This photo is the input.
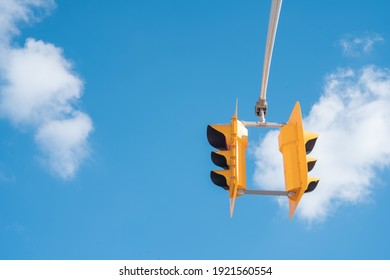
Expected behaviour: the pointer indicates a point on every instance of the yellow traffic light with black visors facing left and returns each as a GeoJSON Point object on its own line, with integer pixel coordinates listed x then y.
{"type": "Point", "coordinates": [231, 141]}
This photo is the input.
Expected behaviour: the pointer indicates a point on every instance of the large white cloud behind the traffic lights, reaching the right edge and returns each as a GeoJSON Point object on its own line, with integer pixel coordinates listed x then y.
{"type": "Point", "coordinates": [352, 118]}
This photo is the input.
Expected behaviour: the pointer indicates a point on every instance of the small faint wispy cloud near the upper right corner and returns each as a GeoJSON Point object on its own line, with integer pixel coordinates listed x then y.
{"type": "Point", "coordinates": [356, 46]}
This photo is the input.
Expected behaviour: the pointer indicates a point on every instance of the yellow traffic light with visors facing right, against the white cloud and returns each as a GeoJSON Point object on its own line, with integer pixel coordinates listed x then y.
{"type": "Point", "coordinates": [295, 144]}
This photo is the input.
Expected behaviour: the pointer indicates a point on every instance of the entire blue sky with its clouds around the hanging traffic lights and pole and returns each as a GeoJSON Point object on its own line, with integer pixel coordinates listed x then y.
{"type": "Point", "coordinates": [104, 107]}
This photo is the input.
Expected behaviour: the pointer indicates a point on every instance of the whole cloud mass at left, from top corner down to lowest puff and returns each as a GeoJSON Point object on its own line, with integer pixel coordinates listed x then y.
{"type": "Point", "coordinates": [40, 91]}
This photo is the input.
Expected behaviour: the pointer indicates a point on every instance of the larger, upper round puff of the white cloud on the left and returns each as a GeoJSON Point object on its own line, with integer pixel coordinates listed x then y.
{"type": "Point", "coordinates": [39, 83]}
